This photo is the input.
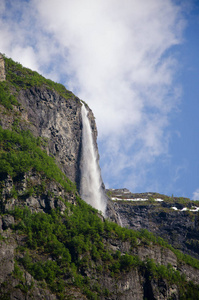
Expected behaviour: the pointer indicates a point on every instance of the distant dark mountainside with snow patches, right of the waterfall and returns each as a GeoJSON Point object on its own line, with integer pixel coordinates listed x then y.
{"type": "Point", "coordinates": [172, 218]}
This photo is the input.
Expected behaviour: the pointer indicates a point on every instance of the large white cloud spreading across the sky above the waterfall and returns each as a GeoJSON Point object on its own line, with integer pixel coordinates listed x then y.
{"type": "Point", "coordinates": [116, 57]}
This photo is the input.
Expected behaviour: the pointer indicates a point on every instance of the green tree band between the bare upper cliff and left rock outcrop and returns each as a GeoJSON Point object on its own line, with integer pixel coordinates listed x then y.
{"type": "Point", "coordinates": [20, 152]}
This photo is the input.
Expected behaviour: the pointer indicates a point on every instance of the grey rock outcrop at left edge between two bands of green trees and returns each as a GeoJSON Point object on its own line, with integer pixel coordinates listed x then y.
{"type": "Point", "coordinates": [47, 195]}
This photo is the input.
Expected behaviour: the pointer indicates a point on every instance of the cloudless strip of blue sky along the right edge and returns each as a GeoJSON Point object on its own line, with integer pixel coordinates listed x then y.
{"type": "Point", "coordinates": [185, 148]}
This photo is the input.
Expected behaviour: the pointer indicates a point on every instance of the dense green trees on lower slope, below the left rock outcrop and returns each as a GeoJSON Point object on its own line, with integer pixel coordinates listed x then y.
{"type": "Point", "coordinates": [64, 238]}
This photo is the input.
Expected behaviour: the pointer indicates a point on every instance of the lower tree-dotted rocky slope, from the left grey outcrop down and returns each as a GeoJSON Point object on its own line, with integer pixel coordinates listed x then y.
{"type": "Point", "coordinates": [116, 265]}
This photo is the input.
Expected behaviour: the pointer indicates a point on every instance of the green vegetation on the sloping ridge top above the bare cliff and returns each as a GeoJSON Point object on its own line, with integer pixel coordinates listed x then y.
{"type": "Point", "coordinates": [23, 78]}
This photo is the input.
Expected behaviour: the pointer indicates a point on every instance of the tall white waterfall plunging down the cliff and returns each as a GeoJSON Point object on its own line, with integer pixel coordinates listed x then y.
{"type": "Point", "coordinates": [91, 183]}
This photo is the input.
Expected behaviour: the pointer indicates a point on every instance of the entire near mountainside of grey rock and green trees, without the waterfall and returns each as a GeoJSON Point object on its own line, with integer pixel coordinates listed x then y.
{"type": "Point", "coordinates": [52, 244]}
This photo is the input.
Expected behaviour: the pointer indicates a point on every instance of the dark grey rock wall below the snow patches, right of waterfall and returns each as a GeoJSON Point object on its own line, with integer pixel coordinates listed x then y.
{"type": "Point", "coordinates": [179, 228]}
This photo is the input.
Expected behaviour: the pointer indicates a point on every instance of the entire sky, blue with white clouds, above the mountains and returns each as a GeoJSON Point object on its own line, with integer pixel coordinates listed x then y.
{"type": "Point", "coordinates": [136, 64]}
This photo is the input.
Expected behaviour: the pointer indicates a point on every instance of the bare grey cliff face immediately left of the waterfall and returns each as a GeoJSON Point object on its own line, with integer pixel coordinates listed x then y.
{"type": "Point", "coordinates": [57, 120]}
